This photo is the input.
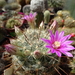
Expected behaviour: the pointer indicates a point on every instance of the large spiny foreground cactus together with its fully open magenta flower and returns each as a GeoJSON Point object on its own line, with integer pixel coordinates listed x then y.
{"type": "Point", "coordinates": [33, 57]}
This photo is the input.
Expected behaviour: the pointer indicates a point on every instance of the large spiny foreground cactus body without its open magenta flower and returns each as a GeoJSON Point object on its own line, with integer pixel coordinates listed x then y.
{"type": "Point", "coordinates": [34, 59]}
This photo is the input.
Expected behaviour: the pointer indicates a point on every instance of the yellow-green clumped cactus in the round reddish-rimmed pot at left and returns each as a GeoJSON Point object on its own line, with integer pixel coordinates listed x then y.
{"type": "Point", "coordinates": [12, 22]}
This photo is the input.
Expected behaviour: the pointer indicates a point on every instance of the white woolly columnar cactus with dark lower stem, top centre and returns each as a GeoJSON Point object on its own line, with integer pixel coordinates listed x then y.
{"type": "Point", "coordinates": [38, 6]}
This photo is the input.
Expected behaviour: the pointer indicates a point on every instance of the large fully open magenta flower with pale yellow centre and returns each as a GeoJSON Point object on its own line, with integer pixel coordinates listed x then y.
{"type": "Point", "coordinates": [59, 44]}
